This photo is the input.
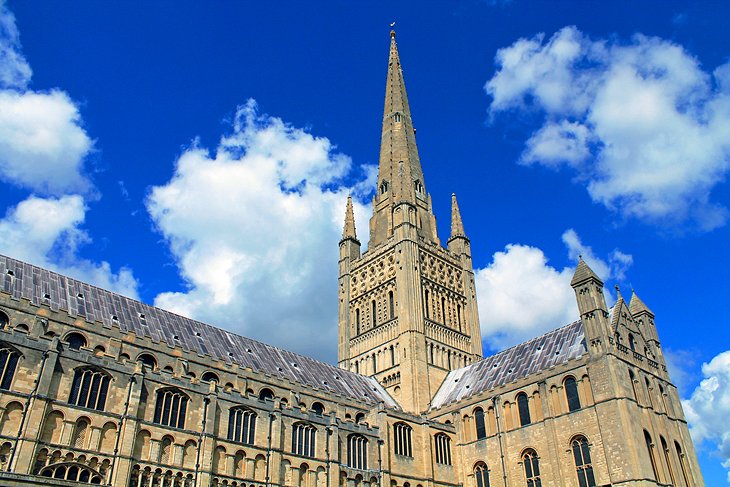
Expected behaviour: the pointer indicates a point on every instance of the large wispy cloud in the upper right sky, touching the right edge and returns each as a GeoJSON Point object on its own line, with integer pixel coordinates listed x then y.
{"type": "Point", "coordinates": [643, 126]}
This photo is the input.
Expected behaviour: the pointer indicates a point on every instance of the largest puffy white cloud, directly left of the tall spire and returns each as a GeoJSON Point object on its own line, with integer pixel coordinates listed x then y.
{"type": "Point", "coordinates": [253, 226]}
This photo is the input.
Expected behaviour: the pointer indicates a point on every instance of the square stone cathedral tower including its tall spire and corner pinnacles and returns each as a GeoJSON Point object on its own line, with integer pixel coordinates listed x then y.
{"type": "Point", "coordinates": [407, 306]}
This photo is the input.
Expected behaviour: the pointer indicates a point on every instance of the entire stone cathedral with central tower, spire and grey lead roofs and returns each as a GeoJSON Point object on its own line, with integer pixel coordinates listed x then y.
{"type": "Point", "coordinates": [97, 388]}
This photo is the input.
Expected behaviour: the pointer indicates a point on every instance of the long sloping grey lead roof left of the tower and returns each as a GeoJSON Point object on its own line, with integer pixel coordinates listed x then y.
{"type": "Point", "coordinates": [41, 286]}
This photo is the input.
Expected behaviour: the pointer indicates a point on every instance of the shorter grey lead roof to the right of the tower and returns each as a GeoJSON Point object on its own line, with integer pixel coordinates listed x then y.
{"type": "Point", "coordinates": [553, 348]}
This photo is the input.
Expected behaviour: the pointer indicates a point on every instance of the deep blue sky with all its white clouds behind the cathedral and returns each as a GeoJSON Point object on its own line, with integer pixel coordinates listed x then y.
{"type": "Point", "coordinates": [197, 156]}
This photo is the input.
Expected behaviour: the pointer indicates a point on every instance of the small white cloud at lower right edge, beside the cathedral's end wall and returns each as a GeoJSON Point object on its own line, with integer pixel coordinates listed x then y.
{"type": "Point", "coordinates": [708, 408]}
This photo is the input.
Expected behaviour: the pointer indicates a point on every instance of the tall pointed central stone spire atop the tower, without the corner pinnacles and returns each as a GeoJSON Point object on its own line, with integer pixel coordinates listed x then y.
{"type": "Point", "coordinates": [400, 166]}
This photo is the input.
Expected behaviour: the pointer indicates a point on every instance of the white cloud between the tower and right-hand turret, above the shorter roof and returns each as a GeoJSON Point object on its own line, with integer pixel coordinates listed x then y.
{"type": "Point", "coordinates": [520, 295]}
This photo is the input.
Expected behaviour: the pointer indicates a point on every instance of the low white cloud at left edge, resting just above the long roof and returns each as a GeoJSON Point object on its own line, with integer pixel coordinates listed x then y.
{"type": "Point", "coordinates": [46, 232]}
